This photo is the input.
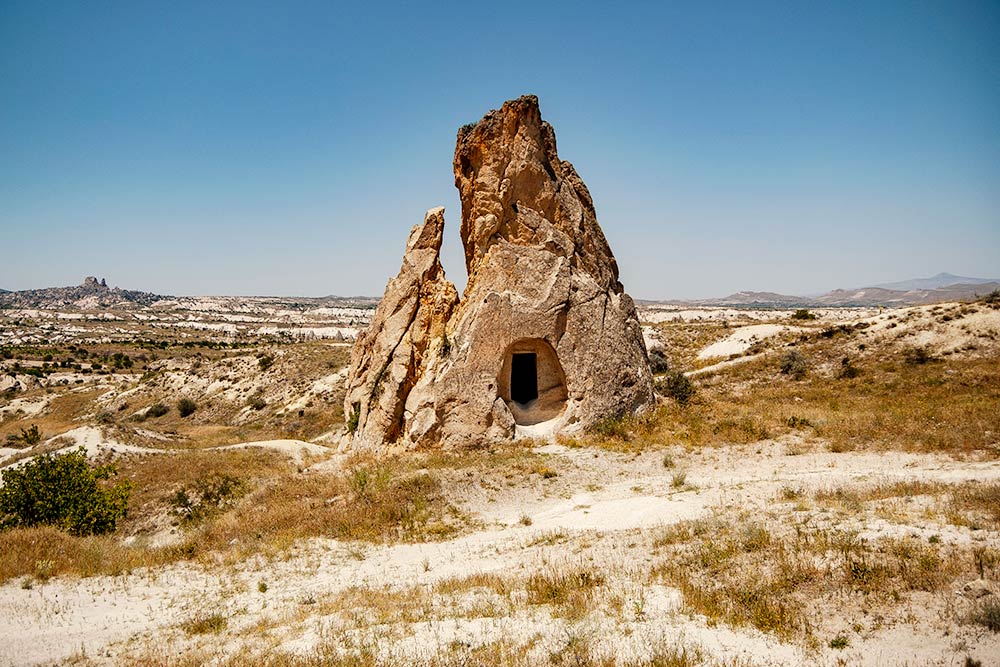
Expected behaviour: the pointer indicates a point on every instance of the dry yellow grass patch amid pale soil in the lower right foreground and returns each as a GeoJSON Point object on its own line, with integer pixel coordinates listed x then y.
{"type": "Point", "coordinates": [770, 577]}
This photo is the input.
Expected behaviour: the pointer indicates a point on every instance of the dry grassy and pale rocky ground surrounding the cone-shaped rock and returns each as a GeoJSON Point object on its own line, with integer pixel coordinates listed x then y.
{"type": "Point", "coordinates": [793, 509]}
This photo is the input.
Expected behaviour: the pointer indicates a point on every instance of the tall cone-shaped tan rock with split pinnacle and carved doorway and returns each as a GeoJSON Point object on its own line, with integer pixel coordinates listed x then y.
{"type": "Point", "coordinates": [544, 339]}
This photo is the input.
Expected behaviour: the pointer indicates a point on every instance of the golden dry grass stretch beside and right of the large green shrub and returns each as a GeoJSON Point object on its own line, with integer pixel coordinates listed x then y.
{"type": "Point", "coordinates": [395, 503]}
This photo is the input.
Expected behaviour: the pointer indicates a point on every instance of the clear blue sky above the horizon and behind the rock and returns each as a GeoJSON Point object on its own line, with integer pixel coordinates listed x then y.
{"type": "Point", "coordinates": [288, 147]}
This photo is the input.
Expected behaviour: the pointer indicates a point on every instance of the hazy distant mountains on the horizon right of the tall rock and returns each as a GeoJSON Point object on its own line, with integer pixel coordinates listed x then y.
{"type": "Point", "coordinates": [918, 291]}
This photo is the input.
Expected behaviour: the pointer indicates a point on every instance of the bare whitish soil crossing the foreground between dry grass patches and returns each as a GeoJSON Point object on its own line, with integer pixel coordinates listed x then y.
{"type": "Point", "coordinates": [601, 509]}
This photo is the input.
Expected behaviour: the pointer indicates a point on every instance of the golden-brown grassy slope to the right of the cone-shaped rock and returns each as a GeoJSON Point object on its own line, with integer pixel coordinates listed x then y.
{"type": "Point", "coordinates": [951, 407]}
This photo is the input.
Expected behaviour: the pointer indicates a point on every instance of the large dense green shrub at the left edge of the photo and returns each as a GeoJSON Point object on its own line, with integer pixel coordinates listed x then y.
{"type": "Point", "coordinates": [63, 490]}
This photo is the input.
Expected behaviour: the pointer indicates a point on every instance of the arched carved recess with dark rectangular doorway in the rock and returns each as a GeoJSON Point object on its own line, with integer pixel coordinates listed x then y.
{"type": "Point", "coordinates": [531, 381]}
